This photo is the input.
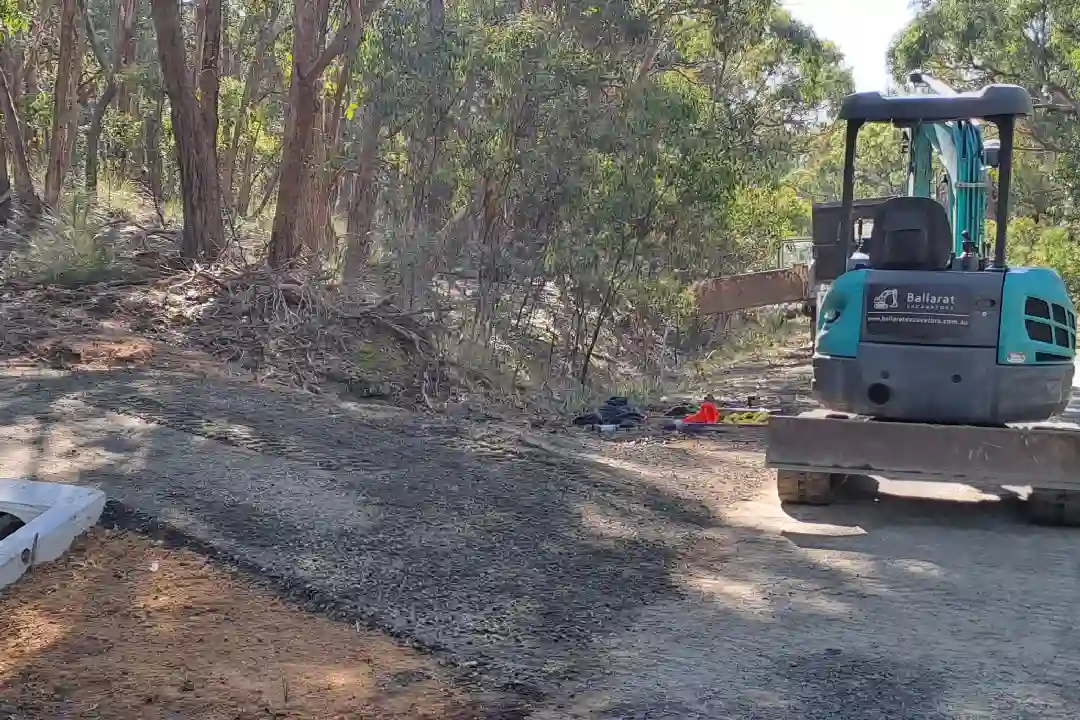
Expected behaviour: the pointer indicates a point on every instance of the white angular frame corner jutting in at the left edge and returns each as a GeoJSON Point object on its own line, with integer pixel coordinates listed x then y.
{"type": "Point", "coordinates": [52, 514]}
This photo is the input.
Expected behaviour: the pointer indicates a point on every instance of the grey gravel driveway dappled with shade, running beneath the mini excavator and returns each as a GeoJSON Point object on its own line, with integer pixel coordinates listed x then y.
{"type": "Point", "coordinates": [582, 578]}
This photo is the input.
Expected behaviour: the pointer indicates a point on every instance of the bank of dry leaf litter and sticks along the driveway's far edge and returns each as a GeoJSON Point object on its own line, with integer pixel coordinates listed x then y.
{"type": "Point", "coordinates": [300, 331]}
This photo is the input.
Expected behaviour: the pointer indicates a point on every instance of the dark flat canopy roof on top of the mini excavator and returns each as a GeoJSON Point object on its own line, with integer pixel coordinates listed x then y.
{"type": "Point", "coordinates": [992, 101]}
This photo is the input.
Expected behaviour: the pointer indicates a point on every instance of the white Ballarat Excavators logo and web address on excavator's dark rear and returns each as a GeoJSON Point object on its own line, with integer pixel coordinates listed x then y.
{"type": "Point", "coordinates": [916, 311]}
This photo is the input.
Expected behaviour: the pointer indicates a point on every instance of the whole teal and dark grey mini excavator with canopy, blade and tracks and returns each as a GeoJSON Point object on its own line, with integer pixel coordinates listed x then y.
{"type": "Point", "coordinates": [929, 348]}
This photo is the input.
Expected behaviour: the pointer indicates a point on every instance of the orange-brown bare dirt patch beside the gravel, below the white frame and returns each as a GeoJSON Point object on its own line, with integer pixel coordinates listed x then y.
{"type": "Point", "coordinates": [123, 628]}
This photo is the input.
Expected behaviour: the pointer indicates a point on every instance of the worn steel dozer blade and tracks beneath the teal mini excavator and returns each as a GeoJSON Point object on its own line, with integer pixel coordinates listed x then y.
{"type": "Point", "coordinates": [816, 454]}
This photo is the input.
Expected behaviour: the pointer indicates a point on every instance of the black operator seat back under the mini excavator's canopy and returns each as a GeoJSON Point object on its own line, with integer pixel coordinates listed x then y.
{"type": "Point", "coordinates": [911, 234]}
